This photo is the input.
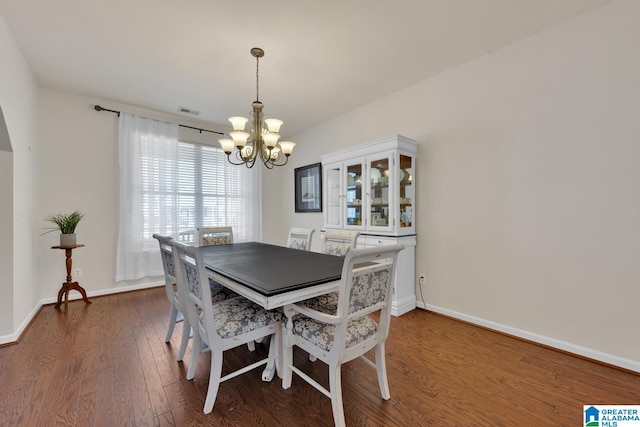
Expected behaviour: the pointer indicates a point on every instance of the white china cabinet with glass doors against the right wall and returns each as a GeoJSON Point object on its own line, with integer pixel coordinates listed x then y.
{"type": "Point", "coordinates": [370, 188]}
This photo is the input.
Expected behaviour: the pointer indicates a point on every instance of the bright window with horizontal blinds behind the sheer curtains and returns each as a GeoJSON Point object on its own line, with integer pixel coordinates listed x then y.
{"type": "Point", "coordinates": [206, 191]}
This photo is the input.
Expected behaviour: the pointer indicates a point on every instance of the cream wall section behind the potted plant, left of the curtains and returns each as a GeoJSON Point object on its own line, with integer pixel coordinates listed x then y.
{"type": "Point", "coordinates": [78, 171]}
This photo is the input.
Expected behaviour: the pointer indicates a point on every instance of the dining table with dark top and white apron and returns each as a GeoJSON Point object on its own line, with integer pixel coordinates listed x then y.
{"type": "Point", "coordinates": [272, 276]}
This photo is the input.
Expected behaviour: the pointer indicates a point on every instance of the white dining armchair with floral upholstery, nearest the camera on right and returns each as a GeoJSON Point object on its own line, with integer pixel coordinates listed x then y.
{"type": "Point", "coordinates": [366, 286]}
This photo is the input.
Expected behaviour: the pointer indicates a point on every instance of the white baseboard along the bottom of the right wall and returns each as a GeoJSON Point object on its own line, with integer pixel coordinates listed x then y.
{"type": "Point", "coordinates": [631, 365]}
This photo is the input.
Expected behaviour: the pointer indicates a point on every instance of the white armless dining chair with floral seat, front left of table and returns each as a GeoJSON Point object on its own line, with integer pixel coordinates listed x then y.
{"type": "Point", "coordinates": [224, 325]}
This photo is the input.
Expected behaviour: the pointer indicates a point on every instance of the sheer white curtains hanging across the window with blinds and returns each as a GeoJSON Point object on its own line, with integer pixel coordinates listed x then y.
{"type": "Point", "coordinates": [171, 187]}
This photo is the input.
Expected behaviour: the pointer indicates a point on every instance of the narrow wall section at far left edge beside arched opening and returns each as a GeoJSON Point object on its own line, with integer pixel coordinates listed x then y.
{"type": "Point", "coordinates": [18, 96]}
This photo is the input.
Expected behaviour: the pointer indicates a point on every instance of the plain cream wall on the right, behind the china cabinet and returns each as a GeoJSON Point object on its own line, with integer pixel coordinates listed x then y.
{"type": "Point", "coordinates": [528, 206]}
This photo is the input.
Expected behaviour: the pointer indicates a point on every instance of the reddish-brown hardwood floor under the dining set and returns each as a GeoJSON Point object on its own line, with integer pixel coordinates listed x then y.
{"type": "Point", "coordinates": [106, 364]}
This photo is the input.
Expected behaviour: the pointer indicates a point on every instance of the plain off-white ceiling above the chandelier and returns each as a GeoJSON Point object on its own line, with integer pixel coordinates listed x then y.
{"type": "Point", "coordinates": [322, 58]}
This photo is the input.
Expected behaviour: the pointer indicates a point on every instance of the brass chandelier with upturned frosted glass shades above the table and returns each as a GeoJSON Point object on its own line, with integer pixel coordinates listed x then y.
{"type": "Point", "coordinates": [262, 143]}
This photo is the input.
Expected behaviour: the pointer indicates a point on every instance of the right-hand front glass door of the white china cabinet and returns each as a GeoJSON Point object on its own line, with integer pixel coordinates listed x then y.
{"type": "Point", "coordinates": [380, 216]}
